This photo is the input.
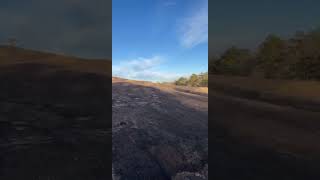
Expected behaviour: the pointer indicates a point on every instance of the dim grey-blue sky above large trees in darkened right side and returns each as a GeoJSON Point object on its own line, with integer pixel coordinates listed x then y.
{"type": "Point", "coordinates": [246, 23]}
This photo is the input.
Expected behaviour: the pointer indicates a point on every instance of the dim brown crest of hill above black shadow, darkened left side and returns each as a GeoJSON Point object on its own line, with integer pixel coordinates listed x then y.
{"type": "Point", "coordinates": [13, 55]}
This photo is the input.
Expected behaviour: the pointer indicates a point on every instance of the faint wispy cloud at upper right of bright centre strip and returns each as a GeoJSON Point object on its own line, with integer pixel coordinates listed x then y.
{"type": "Point", "coordinates": [194, 29]}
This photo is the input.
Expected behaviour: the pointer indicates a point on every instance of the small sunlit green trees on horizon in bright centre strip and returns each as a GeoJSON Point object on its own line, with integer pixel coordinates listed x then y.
{"type": "Point", "coordinates": [195, 80]}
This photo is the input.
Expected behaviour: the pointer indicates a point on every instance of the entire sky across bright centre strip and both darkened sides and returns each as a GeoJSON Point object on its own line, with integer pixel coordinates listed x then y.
{"type": "Point", "coordinates": [152, 39]}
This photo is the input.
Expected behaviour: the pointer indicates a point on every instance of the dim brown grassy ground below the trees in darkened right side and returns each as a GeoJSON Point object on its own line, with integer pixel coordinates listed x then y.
{"type": "Point", "coordinates": [283, 115]}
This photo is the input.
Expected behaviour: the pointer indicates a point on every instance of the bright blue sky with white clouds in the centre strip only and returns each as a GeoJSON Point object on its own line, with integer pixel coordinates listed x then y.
{"type": "Point", "coordinates": [159, 40]}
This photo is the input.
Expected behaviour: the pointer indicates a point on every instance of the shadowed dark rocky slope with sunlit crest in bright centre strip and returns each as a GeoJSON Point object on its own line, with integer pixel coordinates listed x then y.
{"type": "Point", "coordinates": [158, 131]}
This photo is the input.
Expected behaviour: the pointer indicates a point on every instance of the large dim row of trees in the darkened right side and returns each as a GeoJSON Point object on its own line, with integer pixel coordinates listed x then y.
{"type": "Point", "coordinates": [294, 58]}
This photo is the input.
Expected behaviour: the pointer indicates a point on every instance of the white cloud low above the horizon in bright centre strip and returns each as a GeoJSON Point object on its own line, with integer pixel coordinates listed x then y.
{"type": "Point", "coordinates": [143, 69]}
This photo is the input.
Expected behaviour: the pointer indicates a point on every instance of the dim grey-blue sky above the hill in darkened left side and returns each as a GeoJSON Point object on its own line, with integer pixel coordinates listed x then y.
{"type": "Point", "coordinates": [74, 27]}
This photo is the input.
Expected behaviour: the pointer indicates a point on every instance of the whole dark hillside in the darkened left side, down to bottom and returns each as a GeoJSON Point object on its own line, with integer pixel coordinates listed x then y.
{"type": "Point", "coordinates": [55, 116]}
